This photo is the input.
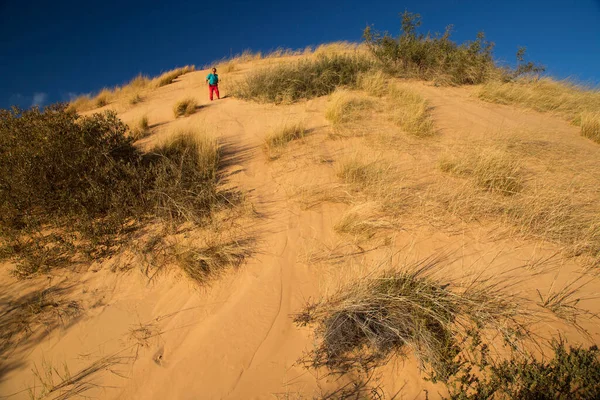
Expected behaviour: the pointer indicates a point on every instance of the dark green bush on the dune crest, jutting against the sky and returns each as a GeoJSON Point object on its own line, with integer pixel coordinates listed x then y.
{"type": "Point", "coordinates": [415, 55]}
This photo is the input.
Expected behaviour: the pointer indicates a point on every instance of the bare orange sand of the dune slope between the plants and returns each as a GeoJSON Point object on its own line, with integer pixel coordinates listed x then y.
{"type": "Point", "coordinates": [235, 339]}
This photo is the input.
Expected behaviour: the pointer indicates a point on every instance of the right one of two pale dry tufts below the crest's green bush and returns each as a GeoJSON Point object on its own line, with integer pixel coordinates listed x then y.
{"type": "Point", "coordinates": [410, 111]}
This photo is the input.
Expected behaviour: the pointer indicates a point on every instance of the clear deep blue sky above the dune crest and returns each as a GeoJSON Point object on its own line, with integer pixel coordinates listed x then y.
{"type": "Point", "coordinates": [51, 50]}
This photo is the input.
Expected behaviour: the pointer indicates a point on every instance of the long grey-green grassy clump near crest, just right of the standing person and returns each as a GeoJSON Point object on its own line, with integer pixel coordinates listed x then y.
{"type": "Point", "coordinates": [304, 79]}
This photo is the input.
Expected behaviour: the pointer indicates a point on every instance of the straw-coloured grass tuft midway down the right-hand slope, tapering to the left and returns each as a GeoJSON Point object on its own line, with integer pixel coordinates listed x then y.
{"type": "Point", "coordinates": [492, 169]}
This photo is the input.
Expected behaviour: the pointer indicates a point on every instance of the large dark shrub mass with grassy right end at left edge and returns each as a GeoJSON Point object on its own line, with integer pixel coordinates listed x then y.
{"type": "Point", "coordinates": [72, 185]}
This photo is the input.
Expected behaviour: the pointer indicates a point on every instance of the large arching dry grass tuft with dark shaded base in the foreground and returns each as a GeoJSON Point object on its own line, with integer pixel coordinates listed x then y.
{"type": "Point", "coordinates": [417, 308]}
